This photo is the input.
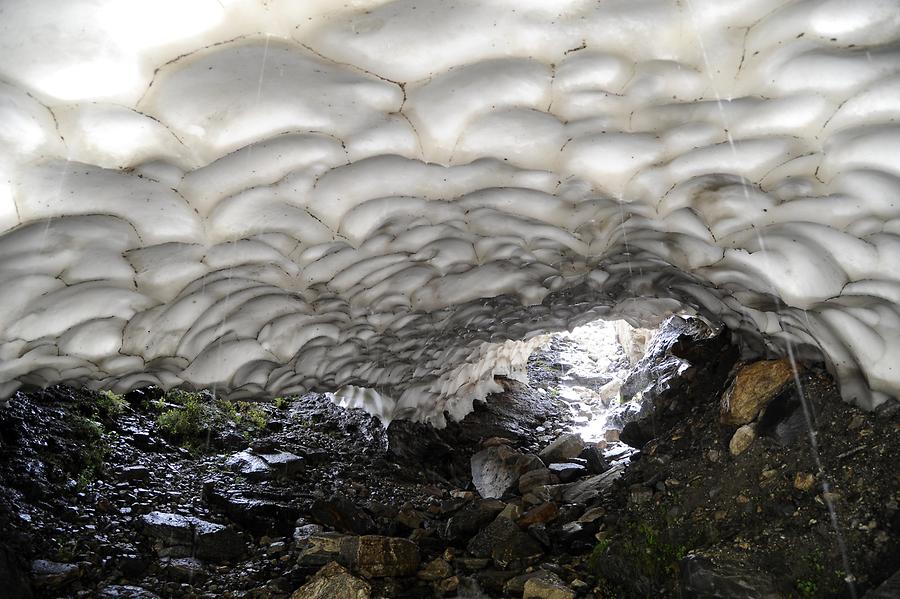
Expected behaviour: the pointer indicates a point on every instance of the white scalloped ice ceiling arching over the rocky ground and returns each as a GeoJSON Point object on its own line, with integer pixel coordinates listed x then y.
{"type": "Point", "coordinates": [270, 196]}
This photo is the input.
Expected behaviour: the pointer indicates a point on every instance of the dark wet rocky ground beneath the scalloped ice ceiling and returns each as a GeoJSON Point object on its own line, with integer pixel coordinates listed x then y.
{"type": "Point", "coordinates": [102, 496]}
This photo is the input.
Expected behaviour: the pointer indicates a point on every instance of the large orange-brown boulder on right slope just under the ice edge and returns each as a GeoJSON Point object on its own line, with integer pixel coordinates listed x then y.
{"type": "Point", "coordinates": [754, 386]}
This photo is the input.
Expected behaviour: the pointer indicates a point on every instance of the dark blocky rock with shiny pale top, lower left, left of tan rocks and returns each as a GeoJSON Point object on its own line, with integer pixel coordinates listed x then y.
{"type": "Point", "coordinates": [186, 536]}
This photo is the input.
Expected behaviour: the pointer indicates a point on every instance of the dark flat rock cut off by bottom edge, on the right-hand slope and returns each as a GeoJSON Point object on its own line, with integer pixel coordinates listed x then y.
{"type": "Point", "coordinates": [701, 579]}
